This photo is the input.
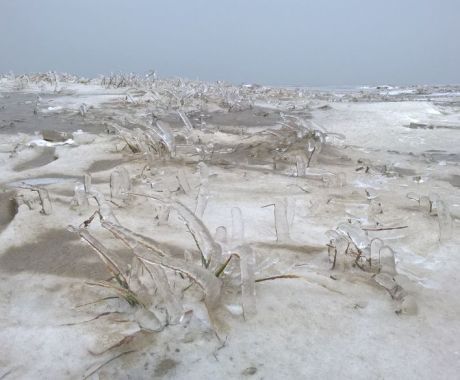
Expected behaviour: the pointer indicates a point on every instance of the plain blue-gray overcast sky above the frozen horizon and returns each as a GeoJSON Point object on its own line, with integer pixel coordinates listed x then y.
{"type": "Point", "coordinates": [296, 42]}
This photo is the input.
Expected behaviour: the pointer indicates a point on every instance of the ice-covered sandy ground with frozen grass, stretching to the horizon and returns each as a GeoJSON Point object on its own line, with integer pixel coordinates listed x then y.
{"type": "Point", "coordinates": [369, 148]}
